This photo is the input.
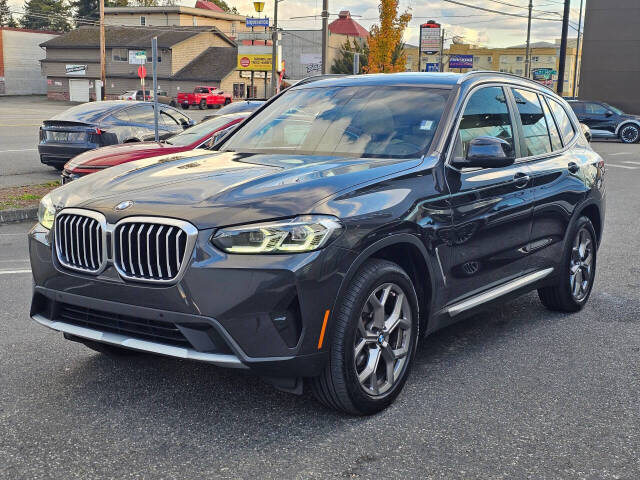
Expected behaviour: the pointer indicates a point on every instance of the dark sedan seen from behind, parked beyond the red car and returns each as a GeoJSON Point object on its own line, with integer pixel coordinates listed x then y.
{"type": "Point", "coordinates": [96, 124]}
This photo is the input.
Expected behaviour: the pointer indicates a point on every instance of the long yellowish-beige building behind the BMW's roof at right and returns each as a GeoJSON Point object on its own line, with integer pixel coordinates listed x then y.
{"type": "Point", "coordinates": [544, 55]}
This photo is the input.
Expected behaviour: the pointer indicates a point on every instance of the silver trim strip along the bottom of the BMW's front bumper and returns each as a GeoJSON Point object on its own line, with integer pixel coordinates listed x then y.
{"type": "Point", "coordinates": [222, 360]}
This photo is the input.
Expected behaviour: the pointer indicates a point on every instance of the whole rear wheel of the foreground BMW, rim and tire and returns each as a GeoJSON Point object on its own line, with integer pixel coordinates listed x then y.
{"type": "Point", "coordinates": [574, 286]}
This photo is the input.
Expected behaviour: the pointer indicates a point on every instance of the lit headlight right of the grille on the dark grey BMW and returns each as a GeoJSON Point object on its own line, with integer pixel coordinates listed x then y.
{"type": "Point", "coordinates": [301, 234]}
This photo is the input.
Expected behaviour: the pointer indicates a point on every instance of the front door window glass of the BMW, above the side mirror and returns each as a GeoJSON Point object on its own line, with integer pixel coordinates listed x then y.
{"type": "Point", "coordinates": [486, 114]}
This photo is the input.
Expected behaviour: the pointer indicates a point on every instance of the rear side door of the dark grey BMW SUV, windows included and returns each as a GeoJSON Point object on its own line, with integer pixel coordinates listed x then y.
{"type": "Point", "coordinates": [558, 168]}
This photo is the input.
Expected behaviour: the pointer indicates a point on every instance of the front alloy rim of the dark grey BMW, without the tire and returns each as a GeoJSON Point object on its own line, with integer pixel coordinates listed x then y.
{"type": "Point", "coordinates": [382, 343]}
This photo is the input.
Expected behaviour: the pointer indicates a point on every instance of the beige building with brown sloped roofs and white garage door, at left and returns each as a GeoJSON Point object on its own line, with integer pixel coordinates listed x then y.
{"type": "Point", "coordinates": [186, 57]}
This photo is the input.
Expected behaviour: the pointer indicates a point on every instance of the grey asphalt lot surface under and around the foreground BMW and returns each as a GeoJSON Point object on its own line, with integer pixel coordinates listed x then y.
{"type": "Point", "coordinates": [517, 392]}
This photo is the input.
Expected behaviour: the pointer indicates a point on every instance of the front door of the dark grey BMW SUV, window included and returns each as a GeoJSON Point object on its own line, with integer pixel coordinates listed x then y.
{"type": "Point", "coordinates": [492, 207]}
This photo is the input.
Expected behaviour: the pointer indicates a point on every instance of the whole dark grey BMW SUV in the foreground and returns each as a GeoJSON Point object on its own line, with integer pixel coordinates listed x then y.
{"type": "Point", "coordinates": [332, 231]}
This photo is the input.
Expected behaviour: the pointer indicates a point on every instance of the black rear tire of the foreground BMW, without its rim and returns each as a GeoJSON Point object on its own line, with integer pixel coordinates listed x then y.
{"type": "Point", "coordinates": [561, 297]}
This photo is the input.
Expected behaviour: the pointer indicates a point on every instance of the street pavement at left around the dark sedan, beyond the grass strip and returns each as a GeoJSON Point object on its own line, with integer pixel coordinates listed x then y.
{"type": "Point", "coordinates": [20, 118]}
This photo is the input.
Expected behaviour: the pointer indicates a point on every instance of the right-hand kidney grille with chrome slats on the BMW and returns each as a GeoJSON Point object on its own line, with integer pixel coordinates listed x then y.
{"type": "Point", "coordinates": [151, 249]}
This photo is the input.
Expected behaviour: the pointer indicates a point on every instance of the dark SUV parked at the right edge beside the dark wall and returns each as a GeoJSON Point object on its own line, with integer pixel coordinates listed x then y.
{"type": "Point", "coordinates": [607, 121]}
